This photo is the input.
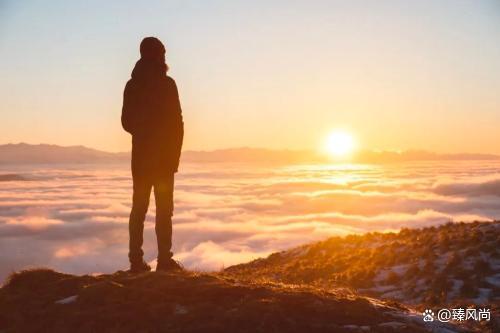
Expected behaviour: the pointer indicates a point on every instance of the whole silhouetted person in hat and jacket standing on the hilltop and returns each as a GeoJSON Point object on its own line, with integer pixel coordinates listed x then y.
{"type": "Point", "coordinates": [152, 114]}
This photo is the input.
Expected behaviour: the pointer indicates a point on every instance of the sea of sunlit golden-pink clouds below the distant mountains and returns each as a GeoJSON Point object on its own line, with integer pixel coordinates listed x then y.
{"type": "Point", "coordinates": [74, 218]}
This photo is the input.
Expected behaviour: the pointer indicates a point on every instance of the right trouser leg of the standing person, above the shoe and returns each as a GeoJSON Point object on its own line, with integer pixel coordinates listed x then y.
{"type": "Point", "coordinates": [164, 197]}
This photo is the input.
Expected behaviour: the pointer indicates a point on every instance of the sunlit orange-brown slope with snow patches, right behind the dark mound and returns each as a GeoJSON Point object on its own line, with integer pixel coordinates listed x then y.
{"type": "Point", "coordinates": [455, 265]}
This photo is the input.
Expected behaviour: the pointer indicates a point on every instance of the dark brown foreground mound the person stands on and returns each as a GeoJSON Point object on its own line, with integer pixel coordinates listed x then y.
{"type": "Point", "coordinates": [47, 301]}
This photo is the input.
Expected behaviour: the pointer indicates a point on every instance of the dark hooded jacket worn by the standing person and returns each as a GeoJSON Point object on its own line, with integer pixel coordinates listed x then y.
{"type": "Point", "coordinates": [152, 114]}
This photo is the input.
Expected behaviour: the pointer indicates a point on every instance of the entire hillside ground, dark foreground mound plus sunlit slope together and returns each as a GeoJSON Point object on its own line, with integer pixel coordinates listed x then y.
{"type": "Point", "coordinates": [377, 282]}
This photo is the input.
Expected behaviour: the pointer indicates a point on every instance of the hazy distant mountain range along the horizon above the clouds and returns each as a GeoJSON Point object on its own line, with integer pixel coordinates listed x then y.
{"type": "Point", "coordinates": [23, 153]}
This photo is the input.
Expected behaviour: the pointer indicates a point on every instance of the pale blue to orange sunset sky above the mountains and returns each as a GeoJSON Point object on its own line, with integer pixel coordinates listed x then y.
{"type": "Point", "coordinates": [275, 74]}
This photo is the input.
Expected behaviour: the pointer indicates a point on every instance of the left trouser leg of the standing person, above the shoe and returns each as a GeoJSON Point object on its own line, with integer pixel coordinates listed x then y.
{"type": "Point", "coordinates": [140, 203]}
